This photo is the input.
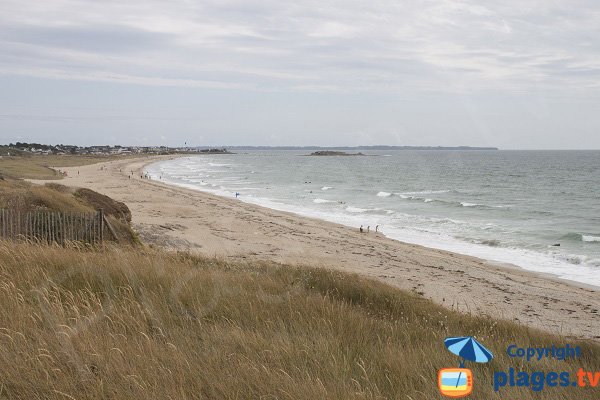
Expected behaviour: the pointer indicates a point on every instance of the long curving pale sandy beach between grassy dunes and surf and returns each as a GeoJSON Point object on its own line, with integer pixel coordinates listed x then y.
{"type": "Point", "coordinates": [184, 219]}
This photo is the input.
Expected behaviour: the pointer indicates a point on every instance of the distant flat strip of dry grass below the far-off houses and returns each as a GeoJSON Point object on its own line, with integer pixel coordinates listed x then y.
{"type": "Point", "coordinates": [39, 167]}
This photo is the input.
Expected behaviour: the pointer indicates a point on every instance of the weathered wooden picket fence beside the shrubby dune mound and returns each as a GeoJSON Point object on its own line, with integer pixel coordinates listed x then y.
{"type": "Point", "coordinates": [54, 226]}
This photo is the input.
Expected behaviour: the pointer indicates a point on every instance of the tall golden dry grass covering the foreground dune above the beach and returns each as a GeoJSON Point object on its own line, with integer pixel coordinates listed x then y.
{"type": "Point", "coordinates": [131, 324]}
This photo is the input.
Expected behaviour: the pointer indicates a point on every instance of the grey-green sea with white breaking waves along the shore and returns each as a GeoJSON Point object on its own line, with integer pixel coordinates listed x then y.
{"type": "Point", "coordinates": [504, 206]}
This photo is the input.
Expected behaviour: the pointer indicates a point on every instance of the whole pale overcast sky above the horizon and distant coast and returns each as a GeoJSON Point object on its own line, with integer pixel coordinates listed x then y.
{"type": "Point", "coordinates": [510, 74]}
